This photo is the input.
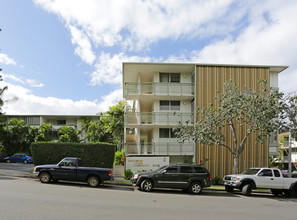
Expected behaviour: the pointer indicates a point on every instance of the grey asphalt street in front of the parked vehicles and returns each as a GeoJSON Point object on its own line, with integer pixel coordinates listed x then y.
{"type": "Point", "coordinates": [27, 198]}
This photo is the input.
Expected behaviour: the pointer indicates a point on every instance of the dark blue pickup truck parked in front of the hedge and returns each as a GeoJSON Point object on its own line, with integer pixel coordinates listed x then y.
{"type": "Point", "coordinates": [69, 169]}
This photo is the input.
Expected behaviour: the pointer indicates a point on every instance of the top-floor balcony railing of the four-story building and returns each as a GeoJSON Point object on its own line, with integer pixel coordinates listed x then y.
{"type": "Point", "coordinates": [159, 89]}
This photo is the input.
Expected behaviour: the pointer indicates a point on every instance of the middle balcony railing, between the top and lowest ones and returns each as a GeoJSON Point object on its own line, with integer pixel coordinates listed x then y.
{"type": "Point", "coordinates": [157, 118]}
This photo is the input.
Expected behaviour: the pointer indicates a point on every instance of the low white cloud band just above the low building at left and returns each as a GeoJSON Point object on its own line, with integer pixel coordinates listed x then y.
{"type": "Point", "coordinates": [29, 103]}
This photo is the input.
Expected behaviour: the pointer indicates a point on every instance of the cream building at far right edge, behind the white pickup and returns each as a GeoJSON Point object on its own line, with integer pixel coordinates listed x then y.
{"type": "Point", "coordinates": [284, 150]}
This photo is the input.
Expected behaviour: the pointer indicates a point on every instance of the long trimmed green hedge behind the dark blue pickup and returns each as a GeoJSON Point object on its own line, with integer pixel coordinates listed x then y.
{"type": "Point", "coordinates": [91, 154]}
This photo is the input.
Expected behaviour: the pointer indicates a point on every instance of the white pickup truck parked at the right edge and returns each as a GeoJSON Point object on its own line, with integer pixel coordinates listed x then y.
{"type": "Point", "coordinates": [264, 178]}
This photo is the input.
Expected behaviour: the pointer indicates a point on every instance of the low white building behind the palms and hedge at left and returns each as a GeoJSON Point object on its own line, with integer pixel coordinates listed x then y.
{"type": "Point", "coordinates": [57, 121]}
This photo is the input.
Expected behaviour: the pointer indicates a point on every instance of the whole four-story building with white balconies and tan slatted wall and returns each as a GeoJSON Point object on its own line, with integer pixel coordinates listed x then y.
{"type": "Point", "coordinates": [162, 94]}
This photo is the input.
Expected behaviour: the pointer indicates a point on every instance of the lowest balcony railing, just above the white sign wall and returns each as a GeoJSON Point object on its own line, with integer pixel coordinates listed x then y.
{"type": "Point", "coordinates": [160, 149]}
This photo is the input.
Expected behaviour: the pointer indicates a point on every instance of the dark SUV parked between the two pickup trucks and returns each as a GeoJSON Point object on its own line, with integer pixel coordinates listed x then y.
{"type": "Point", "coordinates": [180, 176]}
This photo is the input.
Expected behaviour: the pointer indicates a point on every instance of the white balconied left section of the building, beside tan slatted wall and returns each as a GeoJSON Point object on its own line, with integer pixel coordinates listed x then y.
{"type": "Point", "coordinates": [161, 96]}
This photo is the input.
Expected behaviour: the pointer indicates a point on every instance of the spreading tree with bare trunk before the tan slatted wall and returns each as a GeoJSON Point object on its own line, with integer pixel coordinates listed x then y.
{"type": "Point", "coordinates": [256, 112]}
